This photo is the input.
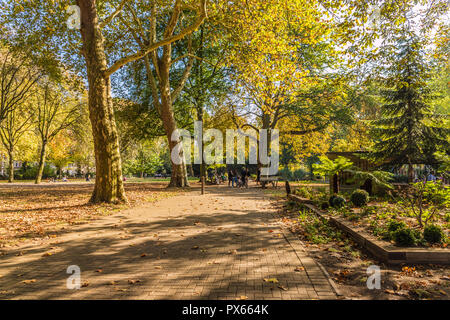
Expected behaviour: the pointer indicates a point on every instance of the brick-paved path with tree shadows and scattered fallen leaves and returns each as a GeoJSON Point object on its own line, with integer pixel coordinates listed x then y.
{"type": "Point", "coordinates": [223, 245]}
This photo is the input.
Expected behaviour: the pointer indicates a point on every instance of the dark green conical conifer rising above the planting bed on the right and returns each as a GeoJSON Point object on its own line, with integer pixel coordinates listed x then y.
{"type": "Point", "coordinates": [408, 131]}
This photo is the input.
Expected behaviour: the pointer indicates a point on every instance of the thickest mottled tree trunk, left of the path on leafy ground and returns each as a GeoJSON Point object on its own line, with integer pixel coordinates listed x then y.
{"type": "Point", "coordinates": [108, 177]}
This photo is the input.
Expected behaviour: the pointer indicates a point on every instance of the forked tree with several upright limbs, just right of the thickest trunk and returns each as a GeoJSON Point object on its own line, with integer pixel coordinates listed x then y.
{"type": "Point", "coordinates": [165, 90]}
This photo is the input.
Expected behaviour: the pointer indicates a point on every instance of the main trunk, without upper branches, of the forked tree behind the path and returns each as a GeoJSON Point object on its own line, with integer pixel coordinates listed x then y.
{"type": "Point", "coordinates": [179, 175]}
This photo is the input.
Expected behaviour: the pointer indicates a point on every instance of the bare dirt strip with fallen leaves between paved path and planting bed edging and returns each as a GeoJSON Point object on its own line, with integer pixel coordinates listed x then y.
{"type": "Point", "coordinates": [347, 264]}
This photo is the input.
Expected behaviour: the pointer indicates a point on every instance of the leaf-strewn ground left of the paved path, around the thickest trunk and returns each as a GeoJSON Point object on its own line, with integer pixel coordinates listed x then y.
{"type": "Point", "coordinates": [33, 212]}
